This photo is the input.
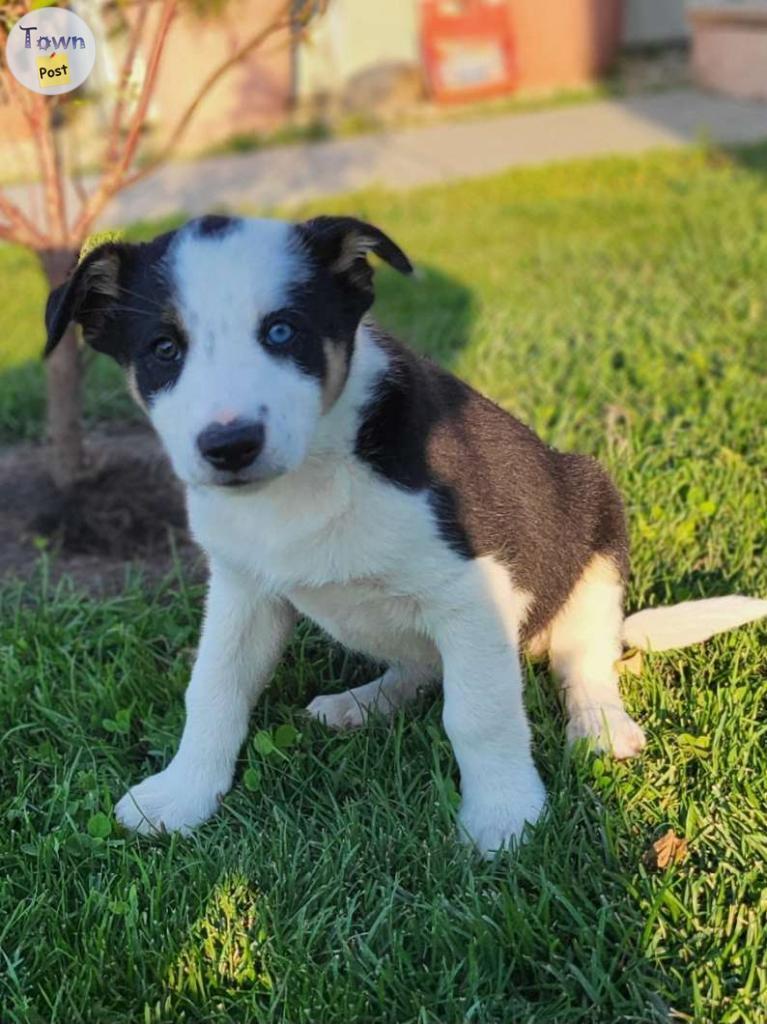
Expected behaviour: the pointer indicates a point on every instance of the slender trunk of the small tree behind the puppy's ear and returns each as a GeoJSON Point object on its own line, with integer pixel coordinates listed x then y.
{"type": "Point", "coordinates": [64, 374]}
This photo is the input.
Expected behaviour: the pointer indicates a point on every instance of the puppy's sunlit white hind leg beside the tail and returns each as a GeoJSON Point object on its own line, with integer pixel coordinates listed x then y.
{"type": "Point", "coordinates": [584, 648]}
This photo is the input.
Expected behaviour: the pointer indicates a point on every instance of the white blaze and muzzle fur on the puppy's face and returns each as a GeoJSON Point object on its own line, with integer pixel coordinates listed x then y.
{"type": "Point", "coordinates": [227, 373]}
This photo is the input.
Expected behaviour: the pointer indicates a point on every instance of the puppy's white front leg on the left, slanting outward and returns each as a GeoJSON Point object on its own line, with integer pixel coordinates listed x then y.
{"type": "Point", "coordinates": [244, 635]}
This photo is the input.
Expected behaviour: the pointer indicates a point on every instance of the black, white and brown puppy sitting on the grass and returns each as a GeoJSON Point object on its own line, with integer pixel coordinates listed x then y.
{"type": "Point", "coordinates": [332, 474]}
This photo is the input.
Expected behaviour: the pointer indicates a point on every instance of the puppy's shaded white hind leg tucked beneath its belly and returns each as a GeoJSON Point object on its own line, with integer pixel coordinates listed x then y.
{"type": "Point", "coordinates": [397, 688]}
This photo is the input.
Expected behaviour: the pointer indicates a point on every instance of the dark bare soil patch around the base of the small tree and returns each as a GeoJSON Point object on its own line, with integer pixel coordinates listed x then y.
{"type": "Point", "coordinates": [126, 513]}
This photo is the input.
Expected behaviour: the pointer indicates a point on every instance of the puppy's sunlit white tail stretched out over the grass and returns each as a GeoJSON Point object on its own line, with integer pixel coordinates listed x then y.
{"type": "Point", "coordinates": [691, 622]}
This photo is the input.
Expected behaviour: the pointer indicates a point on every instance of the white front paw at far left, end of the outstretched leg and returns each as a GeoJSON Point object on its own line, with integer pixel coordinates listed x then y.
{"type": "Point", "coordinates": [167, 802]}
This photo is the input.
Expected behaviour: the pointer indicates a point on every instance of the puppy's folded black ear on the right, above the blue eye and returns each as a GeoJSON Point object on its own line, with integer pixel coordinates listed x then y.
{"type": "Point", "coordinates": [343, 244]}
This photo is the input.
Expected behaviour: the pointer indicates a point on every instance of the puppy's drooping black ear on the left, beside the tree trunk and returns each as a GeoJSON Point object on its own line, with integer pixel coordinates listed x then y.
{"type": "Point", "coordinates": [87, 297]}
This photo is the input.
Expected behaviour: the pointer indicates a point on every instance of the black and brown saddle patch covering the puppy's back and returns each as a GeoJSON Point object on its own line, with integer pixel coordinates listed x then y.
{"type": "Point", "coordinates": [495, 489]}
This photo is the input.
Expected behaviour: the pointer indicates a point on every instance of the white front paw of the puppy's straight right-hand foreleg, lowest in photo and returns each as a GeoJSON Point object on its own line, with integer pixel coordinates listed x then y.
{"type": "Point", "coordinates": [493, 817]}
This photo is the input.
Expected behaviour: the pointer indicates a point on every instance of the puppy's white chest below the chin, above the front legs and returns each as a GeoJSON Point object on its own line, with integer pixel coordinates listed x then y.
{"type": "Point", "coordinates": [326, 526]}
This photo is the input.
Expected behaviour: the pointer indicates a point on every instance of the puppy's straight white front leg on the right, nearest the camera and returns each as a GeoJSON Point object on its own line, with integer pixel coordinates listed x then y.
{"type": "Point", "coordinates": [476, 626]}
